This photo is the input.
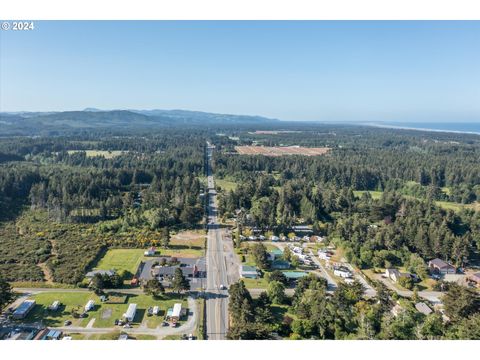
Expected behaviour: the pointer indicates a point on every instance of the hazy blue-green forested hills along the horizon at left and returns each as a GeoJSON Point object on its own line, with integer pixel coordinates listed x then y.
{"type": "Point", "coordinates": [25, 123]}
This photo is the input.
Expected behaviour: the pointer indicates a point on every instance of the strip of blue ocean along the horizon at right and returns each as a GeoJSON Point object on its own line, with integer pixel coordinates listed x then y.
{"type": "Point", "coordinates": [462, 127]}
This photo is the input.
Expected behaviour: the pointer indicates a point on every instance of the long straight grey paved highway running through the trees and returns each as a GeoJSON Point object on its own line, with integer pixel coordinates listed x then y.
{"type": "Point", "coordinates": [217, 267]}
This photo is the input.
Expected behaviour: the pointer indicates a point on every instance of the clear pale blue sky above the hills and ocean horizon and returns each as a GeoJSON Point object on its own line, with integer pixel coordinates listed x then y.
{"type": "Point", "coordinates": [290, 70]}
